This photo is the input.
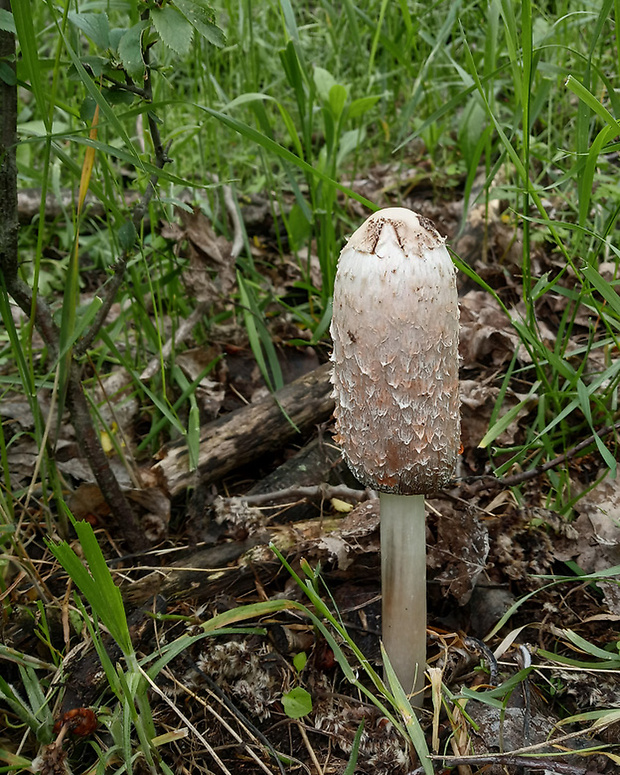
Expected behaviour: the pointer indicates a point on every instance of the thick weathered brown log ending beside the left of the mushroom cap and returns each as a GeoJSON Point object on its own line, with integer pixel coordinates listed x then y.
{"type": "Point", "coordinates": [247, 433]}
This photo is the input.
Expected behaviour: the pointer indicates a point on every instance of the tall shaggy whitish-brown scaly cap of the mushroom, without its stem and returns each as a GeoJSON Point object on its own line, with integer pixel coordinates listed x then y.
{"type": "Point", "coordinates": [395, 375]}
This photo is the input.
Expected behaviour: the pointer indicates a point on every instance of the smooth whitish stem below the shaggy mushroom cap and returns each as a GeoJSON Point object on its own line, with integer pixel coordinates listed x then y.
{"type": "Point", "coordinates": [403, 588]}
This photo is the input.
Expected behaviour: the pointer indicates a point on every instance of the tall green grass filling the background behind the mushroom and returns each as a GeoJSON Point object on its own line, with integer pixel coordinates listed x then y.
{"type": "Point", "coordinates": [285, 109]}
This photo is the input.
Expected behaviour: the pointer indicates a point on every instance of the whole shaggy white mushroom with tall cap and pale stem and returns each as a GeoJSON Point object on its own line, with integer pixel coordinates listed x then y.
{"type": "Point", "coordinates": [395, 377]}
